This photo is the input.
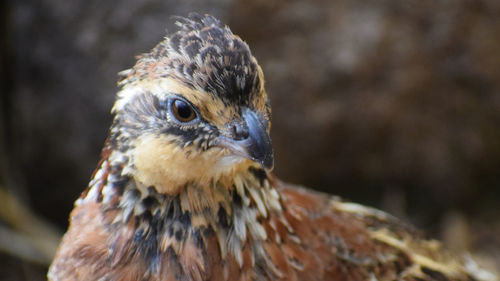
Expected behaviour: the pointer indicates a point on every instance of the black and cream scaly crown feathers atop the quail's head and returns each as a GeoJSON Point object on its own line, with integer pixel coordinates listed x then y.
{"type": "Point", "coordinates": [206, 56]}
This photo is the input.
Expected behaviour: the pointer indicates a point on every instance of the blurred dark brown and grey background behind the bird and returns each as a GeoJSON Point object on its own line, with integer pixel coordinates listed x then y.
{"type": "Point", "coordinates": [394, 104]}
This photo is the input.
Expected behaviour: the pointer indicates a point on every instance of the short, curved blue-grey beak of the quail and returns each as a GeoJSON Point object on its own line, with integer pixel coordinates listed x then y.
{"type": "Point", "coordinates": [250, 140]}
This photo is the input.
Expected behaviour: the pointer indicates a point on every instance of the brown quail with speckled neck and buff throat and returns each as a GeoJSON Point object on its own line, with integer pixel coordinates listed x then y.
{"type": "Point", "coordinates": [185, 188]}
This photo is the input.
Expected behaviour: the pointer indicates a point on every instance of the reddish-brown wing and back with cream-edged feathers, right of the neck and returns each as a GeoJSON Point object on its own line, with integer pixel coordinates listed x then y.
{"type": "Point", "coordinates": [328, 239]}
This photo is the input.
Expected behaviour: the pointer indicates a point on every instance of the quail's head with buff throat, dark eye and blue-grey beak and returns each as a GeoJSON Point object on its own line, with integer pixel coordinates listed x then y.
{"type": "Point", "coordinates": [194, 109]}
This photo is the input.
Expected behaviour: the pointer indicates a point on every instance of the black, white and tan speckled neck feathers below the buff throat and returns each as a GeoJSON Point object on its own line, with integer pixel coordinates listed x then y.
{"type": "Point", "coordinates": [232, 210]}
